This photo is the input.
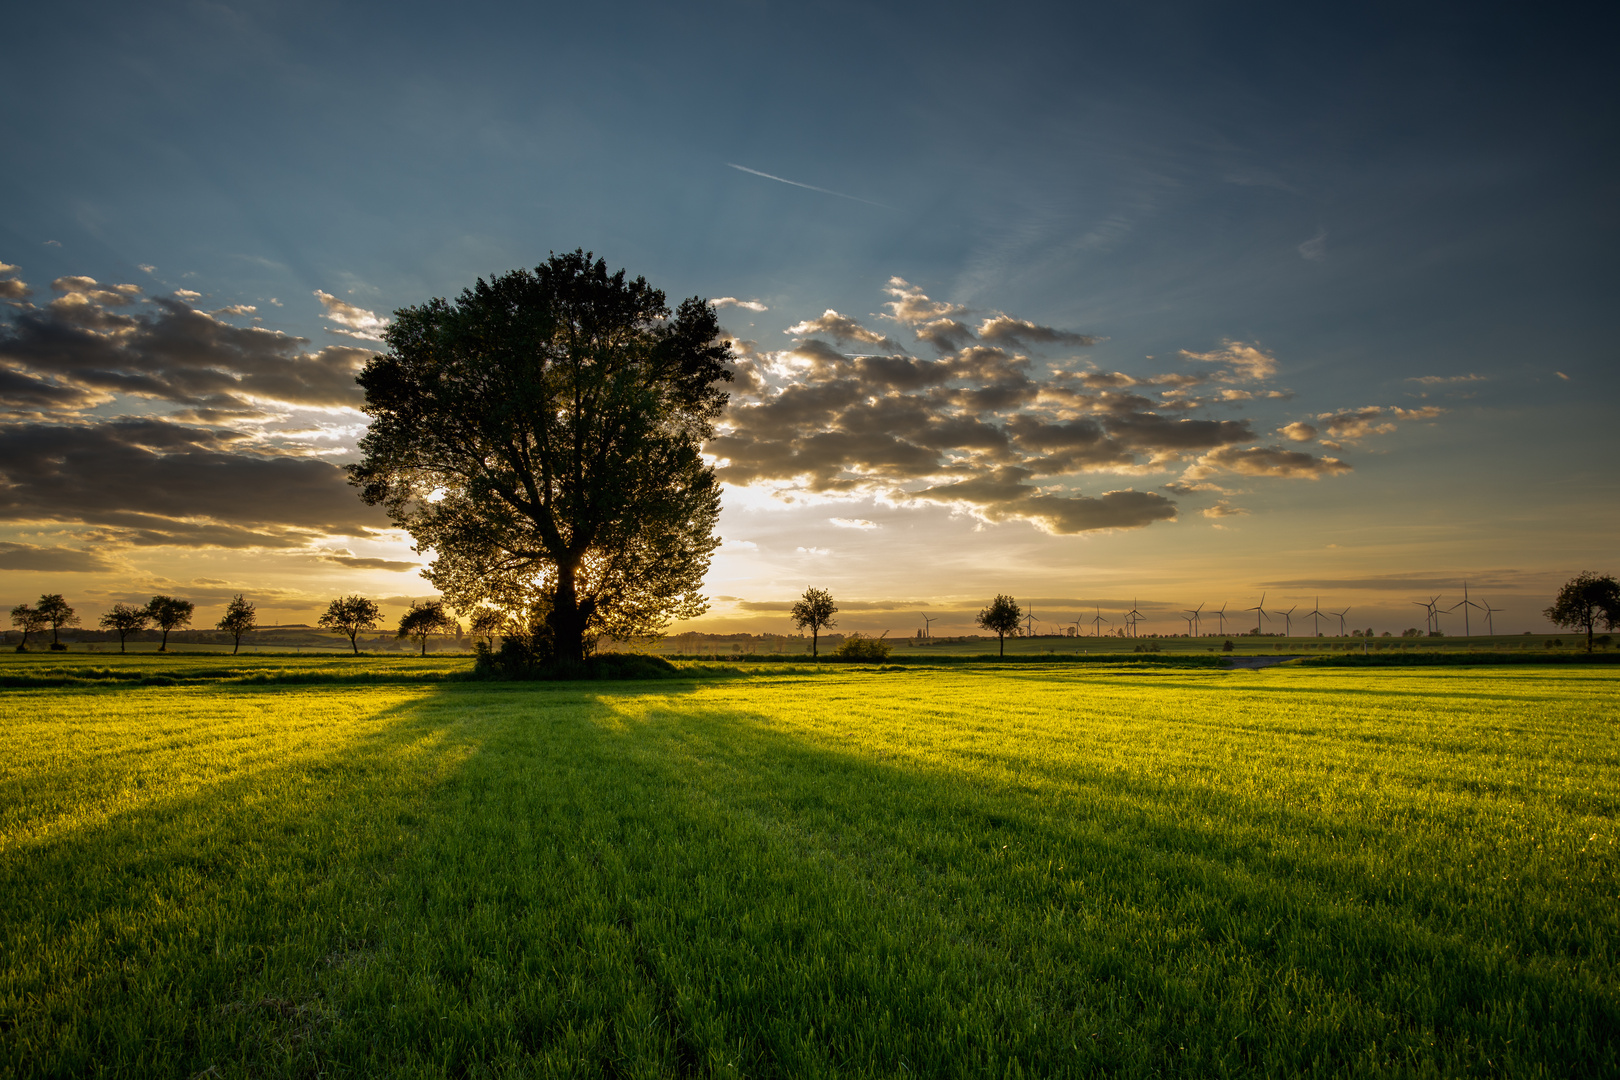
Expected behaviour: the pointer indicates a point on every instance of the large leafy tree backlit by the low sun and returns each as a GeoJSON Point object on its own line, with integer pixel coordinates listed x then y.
{"type": "Point", "coordinates": [542, 438]}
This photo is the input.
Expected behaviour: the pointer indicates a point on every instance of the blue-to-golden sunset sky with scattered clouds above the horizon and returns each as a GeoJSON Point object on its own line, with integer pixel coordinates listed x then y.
{"type": "Point", "coordinates": [1098, 307]}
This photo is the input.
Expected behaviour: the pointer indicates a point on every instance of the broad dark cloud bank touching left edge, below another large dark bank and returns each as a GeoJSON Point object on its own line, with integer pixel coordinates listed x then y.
{"type": "Point", "coordinates": [147, 482]}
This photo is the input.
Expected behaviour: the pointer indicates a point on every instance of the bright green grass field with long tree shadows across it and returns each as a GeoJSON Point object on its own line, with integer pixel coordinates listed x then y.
{"type": "Point", "coordinates": [1036, 870]}
